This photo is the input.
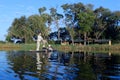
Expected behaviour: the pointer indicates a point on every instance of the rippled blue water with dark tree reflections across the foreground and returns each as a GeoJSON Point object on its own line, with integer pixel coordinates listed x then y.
{"type": "Point", "coordinates": [28, 65]}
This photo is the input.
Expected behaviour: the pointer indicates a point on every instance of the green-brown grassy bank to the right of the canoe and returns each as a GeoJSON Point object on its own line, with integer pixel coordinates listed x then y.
{"type": "Point", "coordinates": [90, 48]}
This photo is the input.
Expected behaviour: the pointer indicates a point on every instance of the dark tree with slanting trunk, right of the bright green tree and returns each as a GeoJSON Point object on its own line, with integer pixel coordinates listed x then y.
{"type": "Point", "coordinates": [101, 21]}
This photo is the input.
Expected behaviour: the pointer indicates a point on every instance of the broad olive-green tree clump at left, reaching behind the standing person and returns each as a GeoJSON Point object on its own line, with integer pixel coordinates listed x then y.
{"type": "Point", "coordinates": [27, 28]}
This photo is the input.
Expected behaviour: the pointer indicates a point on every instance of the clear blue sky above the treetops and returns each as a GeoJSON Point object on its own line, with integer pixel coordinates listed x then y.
{"type": "Point", "coordinates": [11, 9]}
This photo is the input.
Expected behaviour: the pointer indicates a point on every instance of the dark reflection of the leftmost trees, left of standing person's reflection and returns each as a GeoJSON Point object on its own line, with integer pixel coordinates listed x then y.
{"type": "Point", "coordinates": [23, 64]}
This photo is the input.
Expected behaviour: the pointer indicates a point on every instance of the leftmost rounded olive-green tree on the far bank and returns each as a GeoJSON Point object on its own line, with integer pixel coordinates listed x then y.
{"type": "Point", "coordinates": [19, 29]}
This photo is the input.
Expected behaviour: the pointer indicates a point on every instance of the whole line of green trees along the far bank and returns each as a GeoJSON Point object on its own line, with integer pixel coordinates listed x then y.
{"type": "Point", "coordinates": [77, 22]}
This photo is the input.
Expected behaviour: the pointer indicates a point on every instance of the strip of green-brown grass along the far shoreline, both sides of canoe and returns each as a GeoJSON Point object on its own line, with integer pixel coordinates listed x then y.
{"type": "Point", "coordinates": [115, 48]}
